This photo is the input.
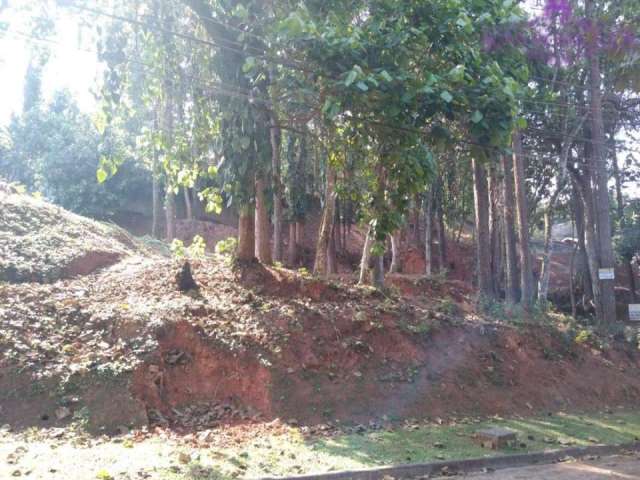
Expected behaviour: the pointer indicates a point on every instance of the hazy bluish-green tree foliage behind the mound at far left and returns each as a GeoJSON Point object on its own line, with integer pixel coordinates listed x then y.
{"type": "Point", "coordinates": [54, 149]}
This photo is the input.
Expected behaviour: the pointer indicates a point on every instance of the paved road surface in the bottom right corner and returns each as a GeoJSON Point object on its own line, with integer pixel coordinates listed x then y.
{"type": "Point", "coordinates": [614, 468]}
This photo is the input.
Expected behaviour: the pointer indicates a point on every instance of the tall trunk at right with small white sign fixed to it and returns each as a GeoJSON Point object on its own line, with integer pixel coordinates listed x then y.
{"type": "Point", "coordinates": [599, 169]}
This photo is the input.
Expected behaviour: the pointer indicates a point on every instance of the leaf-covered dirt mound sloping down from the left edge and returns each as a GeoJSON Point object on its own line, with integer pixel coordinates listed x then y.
{"type": "Point", "coordinates": [40, 242]}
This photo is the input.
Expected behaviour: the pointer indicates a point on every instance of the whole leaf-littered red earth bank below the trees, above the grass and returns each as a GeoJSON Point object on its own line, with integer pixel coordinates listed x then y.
{"type": "Point", "coordinates": [255, 343]}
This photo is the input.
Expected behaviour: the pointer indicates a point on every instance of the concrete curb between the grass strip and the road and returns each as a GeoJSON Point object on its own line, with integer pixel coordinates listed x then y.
{"type": "Point", "coordinates": [468, 466]}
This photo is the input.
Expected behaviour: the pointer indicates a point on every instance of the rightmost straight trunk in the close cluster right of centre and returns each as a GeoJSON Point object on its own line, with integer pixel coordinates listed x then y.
{"type": "Point", "coordinates": [526, 272]}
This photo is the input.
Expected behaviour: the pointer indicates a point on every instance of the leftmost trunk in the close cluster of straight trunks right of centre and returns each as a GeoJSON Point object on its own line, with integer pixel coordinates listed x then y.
{"type": "Point", "coordinates": [483, 243]}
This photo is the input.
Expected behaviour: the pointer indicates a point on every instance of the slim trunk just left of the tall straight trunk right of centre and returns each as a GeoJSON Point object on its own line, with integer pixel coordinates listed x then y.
{"type": "Point", "coordinates": [508, 219]}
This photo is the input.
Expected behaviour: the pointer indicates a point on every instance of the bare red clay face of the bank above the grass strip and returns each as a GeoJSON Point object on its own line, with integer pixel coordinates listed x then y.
{"type": "Point", "coordinates": [373, 358]}
